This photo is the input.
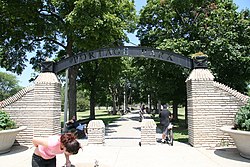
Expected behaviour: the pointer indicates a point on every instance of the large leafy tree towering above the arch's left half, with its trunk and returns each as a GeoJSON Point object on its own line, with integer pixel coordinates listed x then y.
{"type": "Point", "coordinates": [61, 28]}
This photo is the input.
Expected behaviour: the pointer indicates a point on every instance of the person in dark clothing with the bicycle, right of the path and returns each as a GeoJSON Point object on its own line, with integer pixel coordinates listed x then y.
{"type": "Point", "coordinates": [165, 116]}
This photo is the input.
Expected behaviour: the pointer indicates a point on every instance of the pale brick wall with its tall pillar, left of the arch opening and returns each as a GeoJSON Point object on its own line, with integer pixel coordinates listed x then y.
{"type": "Point", "coordinates": [38, 107]}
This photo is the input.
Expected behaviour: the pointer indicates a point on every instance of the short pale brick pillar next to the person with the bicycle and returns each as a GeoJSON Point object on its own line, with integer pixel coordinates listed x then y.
{"type": "Point", "coordinates": [148, 132]}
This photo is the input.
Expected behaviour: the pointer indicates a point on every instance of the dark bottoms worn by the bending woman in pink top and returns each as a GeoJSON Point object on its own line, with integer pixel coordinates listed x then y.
{"type": "Point", "coordinates": [38, 161]}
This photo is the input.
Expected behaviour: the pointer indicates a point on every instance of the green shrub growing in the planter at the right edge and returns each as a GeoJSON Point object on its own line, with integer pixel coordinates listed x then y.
{"type": "Point", "coordinates": [242, 118]}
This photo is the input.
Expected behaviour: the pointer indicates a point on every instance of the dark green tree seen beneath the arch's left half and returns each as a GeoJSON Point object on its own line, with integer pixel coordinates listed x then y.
{"type": "Point", "coordinates": [98, 77]}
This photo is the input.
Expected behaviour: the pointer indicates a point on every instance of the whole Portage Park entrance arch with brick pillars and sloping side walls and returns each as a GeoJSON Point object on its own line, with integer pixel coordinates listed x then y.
{"type": "Point", "coordinates": [210, 104]}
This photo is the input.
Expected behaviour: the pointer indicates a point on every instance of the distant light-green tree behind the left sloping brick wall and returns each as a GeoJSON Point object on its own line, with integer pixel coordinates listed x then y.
{"type": "Point", "coordinates": [8, 85]}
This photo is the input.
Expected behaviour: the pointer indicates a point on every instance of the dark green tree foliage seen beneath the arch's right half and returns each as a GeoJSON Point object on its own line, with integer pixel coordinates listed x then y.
{"type": "Point", "coordinates": [163, 81]}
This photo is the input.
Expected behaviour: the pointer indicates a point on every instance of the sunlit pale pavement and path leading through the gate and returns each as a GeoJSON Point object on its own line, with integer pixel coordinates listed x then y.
{"type": "Point", "coordinates": [121, 149]}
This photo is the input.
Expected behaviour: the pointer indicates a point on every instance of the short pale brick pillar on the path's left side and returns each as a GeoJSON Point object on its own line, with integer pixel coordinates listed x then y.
{"type": "Point", "coordinates": [96, 132]}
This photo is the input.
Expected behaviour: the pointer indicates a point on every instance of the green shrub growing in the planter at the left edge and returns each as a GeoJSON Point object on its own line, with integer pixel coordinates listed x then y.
{"type": "Point", "coordinates": [6, 122]}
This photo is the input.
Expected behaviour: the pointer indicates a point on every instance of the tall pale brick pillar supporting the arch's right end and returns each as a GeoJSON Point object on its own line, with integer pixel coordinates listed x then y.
{"type": "Point", "coordinates": [201, 116]}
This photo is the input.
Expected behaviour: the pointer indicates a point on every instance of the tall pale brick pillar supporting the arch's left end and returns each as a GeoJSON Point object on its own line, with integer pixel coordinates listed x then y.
{"type": "Point", "coordinates": [46, 114]}
